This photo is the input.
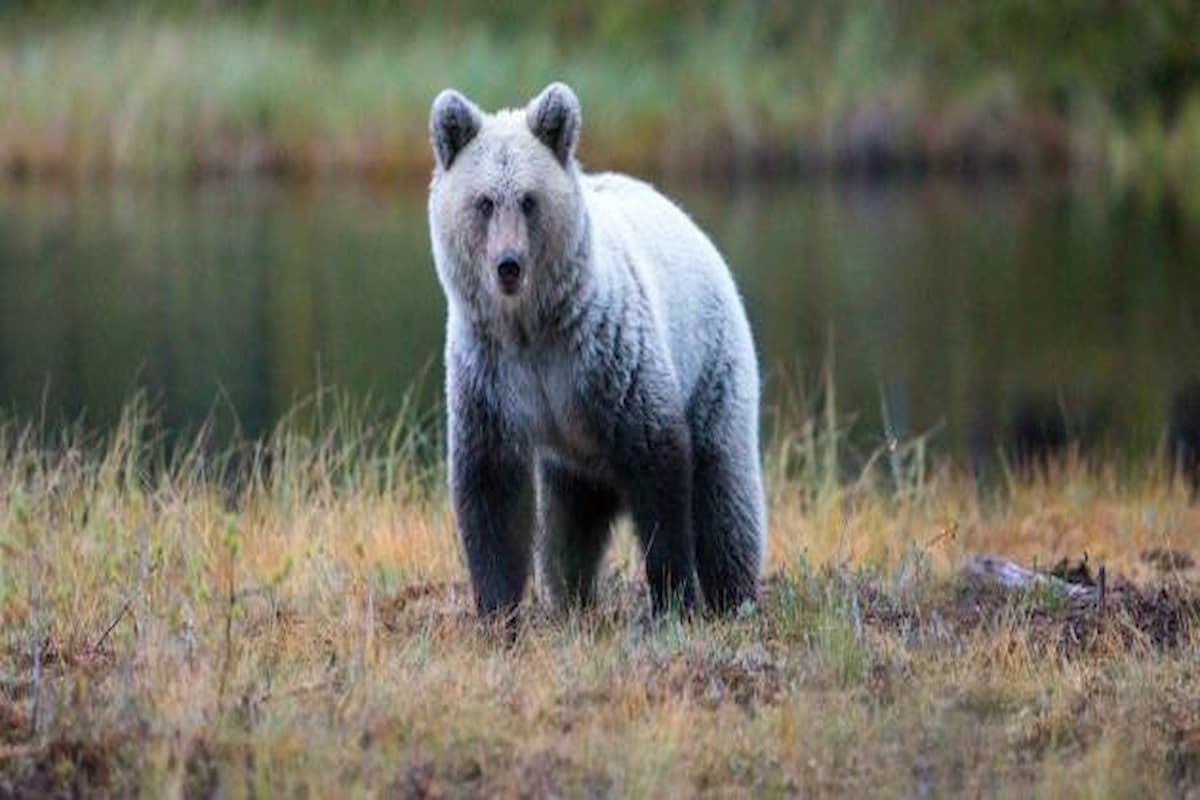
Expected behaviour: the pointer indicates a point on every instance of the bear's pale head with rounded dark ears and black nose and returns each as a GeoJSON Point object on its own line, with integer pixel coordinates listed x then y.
{"type": "Point", "coordinates": [506, 209]}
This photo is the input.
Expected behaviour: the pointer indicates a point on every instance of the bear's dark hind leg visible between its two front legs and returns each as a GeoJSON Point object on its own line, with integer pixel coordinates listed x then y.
{"type": "Point", "coordinates": [577, 518]}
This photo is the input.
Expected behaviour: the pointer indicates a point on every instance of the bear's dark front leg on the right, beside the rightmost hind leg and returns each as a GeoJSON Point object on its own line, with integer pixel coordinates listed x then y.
{"type": "Point", "coordinates": [657, 467]}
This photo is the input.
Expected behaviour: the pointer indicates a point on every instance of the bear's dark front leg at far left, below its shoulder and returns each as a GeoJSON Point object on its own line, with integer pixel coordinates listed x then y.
{"type": "Point", "coordinates": [493, 496]}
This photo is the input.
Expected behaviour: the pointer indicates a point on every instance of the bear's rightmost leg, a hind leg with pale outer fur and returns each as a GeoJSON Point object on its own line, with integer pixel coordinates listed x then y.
{"type": "Point", "coordinates": [729, 518]}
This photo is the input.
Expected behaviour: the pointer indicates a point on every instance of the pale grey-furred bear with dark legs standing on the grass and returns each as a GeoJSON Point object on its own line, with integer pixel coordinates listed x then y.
{"type": "Point", "coordinates": [598, 362]}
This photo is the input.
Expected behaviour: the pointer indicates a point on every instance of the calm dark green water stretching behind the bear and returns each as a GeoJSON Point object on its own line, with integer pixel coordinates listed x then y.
{"type": "Point", "coordinates": [974, 312]}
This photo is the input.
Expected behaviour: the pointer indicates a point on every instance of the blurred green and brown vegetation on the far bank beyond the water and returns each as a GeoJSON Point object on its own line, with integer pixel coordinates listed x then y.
{"type": "Point", "coordinates": [317, 88]}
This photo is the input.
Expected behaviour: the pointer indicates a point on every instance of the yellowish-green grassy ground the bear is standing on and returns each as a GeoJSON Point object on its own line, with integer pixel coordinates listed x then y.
{"type": "Point", "coordinates": [171, 630]}
